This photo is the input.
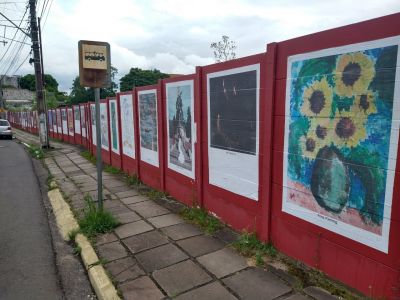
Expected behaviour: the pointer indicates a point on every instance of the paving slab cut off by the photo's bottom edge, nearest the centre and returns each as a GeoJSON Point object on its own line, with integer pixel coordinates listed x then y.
{"type": "Point", "coordinates": [211, 291]}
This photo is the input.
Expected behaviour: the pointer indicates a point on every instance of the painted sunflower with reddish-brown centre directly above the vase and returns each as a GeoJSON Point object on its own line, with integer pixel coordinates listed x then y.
{"type": "Point", "coordinates": [348, 129]}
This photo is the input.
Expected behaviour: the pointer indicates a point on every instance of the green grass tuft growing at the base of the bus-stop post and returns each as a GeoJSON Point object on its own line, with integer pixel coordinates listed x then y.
{"type": "Point", "coordinates": [96, 221]}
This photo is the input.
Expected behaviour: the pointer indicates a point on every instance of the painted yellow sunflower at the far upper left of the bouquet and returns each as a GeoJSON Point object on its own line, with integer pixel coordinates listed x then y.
{"type": "Point", "coordinates": [317, 99]}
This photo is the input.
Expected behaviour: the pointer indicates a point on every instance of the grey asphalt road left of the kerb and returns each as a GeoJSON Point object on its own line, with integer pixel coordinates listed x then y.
{"type": "Point", "coordinates": [27, 260]}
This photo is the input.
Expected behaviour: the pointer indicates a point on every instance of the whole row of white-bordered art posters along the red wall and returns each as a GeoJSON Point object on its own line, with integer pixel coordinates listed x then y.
{"type": "Point", "coordinates": [340, 139]}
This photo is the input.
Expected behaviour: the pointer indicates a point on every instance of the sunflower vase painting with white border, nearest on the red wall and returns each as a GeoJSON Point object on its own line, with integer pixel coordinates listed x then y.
{"type": "Point", "coordinates": [341, 139]}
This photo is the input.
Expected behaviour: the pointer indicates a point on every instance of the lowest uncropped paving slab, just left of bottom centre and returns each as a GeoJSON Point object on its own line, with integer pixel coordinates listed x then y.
{"type": "Point", "coordinates": [181, 277]}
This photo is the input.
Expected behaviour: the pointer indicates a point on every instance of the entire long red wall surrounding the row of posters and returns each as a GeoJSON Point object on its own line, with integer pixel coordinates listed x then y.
{"type": "Point", "coordinates": [371, 271]}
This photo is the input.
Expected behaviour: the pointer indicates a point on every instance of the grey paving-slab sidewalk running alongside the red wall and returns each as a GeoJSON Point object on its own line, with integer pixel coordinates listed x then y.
{"type": "Point", "coordinates": [155, 254]}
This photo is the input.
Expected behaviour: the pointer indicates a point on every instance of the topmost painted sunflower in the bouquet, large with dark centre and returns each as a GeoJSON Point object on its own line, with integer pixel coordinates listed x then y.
{"type": "Point", "coordinates": [354, 72]}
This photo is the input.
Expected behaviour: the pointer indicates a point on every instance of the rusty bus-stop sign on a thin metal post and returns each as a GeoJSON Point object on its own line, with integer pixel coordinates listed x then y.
{"type": "Point", "coordinates": [95, 72]}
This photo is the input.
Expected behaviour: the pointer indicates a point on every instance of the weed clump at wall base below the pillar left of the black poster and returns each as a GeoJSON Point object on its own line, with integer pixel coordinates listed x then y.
{"type": "Point", "coordinates": [199, 216]}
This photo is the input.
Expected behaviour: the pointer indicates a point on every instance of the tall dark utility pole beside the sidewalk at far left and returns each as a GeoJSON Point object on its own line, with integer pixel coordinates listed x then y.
{"type": "Point", "coordinates": [41, 107]}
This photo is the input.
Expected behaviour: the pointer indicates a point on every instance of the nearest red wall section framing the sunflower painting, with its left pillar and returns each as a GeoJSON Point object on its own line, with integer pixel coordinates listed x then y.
{"type": "Point", "coordinates": [371, 271]}
